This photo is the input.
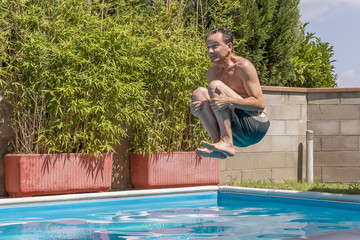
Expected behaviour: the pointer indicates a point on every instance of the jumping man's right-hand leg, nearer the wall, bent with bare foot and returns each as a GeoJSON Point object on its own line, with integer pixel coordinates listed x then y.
{"type": "Point", "coordinates": [223, 117]}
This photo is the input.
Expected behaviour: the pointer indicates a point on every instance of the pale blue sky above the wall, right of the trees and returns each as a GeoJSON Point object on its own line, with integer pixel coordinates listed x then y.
{"type": "Point", "coordinates": [338, 23]}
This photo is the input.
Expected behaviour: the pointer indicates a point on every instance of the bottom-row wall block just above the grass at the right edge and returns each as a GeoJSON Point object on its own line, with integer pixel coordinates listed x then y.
{"type": "Point", "coordinates": [341, 174]}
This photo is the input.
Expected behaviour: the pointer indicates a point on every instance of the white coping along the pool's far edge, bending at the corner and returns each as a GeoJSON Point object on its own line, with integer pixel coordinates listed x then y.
{"type": "Point", "coordinates": [165, 191]}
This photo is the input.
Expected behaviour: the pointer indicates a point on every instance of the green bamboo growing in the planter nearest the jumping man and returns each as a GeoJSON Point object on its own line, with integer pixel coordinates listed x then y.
{"type": "Point", "coordinates": [178, 66]}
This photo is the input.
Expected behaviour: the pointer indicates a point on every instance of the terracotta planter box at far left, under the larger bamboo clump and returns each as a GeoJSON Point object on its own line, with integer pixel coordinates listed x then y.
{"type": "Point", "coordinates": [41, 174]}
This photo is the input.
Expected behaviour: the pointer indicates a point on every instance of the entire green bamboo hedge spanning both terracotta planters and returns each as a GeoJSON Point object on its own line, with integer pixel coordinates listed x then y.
{"type": "Point", "coordinates": [82, 76]}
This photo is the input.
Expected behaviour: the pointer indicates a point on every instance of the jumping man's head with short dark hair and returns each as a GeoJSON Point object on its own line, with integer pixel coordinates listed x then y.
{"type": "Point", "coordinates": [220, 44]}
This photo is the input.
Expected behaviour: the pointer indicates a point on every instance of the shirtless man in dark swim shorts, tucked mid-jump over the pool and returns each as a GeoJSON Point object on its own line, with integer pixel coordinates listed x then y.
{"type": "Point", "coordinates": [232, 108]}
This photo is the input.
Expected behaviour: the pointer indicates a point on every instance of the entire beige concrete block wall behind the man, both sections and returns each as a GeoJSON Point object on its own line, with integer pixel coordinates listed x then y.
{"type": "Point", "coordinates": [334, 116]}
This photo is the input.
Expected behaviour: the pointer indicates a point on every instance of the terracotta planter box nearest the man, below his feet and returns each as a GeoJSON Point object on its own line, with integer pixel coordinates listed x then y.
{"type": "Point", "coordinates": [173, 169]}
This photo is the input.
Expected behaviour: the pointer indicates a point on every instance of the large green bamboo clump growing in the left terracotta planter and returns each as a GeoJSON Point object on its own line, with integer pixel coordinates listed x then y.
{"type": "Point", "coordinates": [72, 75]}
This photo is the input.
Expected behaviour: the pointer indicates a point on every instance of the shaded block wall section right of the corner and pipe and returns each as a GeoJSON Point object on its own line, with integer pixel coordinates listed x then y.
{"type": "Point", "coordinates": [334, 116]}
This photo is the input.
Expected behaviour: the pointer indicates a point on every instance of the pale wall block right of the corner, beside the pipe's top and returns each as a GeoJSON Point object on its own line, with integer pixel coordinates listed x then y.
{"type": "Point", "coordinates": [325, 127]}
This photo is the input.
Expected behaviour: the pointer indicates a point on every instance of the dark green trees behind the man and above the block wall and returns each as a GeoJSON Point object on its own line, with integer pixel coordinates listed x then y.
{"type": "Point", "coordinates": [270, 35]}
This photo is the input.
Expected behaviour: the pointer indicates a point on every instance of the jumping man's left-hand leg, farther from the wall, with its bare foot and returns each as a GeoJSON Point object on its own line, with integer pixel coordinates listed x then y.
{"type": "Point", "coordinates": [200, 107]}
